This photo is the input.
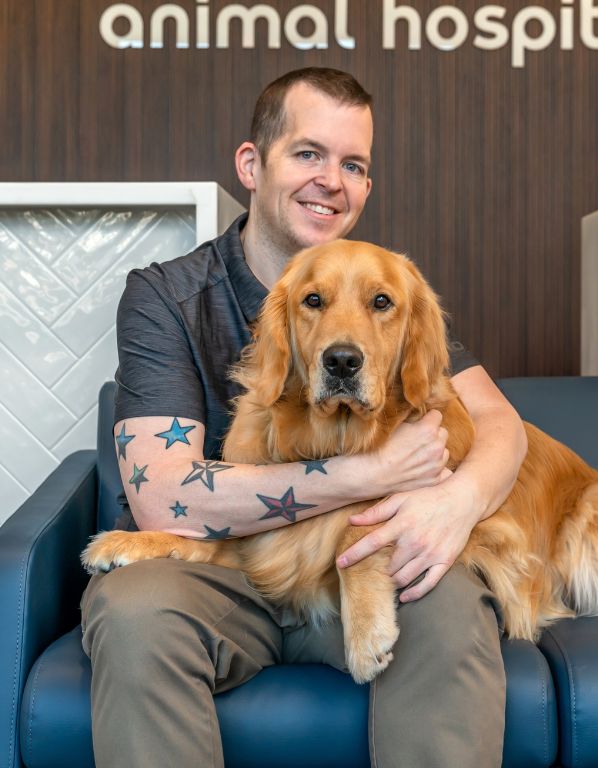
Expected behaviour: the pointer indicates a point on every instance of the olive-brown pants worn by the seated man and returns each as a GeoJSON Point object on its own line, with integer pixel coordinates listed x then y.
{"type": "Point", "coordinates": [164, 635]}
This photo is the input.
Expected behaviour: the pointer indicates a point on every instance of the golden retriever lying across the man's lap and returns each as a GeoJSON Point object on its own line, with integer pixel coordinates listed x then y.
{"type": "Point", "coordinates": [351, 342]}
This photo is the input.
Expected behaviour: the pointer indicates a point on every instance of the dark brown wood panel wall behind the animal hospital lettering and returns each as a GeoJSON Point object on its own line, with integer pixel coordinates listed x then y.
{"type": "Point", "coordinates": [482, 172]}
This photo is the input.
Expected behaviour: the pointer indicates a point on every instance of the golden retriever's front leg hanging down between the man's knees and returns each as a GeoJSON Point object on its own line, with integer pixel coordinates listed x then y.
{"type": "Point", "coordinates": [368, 611]}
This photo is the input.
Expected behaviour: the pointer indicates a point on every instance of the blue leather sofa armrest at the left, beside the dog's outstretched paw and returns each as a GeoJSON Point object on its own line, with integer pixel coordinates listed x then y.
{"type": "Point", "coordinates": [41, 579]}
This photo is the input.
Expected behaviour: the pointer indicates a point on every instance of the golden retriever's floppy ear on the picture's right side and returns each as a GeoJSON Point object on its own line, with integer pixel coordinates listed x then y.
{"type": "Point", "coordinates": [425, 355]}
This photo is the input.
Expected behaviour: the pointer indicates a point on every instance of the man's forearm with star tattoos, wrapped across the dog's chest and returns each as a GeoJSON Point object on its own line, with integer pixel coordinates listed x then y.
{"type": "Point", "coordinates": [216, 499]}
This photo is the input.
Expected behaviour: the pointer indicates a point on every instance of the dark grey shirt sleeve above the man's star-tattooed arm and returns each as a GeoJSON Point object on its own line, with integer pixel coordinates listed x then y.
{"type": "Point", "coordinates": [156, 374]}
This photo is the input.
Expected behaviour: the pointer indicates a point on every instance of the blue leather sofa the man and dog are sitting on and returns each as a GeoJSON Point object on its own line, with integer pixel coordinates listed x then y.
{"type": "Point", "coordinates": [287, 716]}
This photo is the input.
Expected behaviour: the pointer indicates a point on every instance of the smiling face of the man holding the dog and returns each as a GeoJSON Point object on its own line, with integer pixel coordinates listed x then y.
{"type": "Point", "coordinates": [315, 182]}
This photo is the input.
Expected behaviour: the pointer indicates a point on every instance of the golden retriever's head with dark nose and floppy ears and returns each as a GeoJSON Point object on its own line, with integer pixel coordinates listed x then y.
{"type": "Point", "coordinates": [348, 323]}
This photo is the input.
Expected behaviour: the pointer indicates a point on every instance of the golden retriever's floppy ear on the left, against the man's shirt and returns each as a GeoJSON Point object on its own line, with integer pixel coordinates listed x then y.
{"type": "Point", "coordinates": [265, 364]}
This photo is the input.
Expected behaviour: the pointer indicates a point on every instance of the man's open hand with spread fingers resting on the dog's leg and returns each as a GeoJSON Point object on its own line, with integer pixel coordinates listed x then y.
{"type": "Point", "coordinates": [429, 529]}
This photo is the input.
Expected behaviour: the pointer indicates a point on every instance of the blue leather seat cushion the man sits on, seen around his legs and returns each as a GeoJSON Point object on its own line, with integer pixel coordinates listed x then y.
{"type": "Point", "coordinates": [291, 716]}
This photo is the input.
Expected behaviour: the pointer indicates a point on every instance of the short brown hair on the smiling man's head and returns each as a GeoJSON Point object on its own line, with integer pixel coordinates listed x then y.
{"type": "Point", "coordinates": [269, 117]}
